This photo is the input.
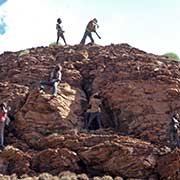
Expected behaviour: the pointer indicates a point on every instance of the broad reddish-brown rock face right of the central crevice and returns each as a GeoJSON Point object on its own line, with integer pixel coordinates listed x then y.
{"type": "Point", "coordinates": [138, 97]}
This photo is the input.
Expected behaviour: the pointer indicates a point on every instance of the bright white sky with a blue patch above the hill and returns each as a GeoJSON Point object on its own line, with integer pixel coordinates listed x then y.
{"type": "Point", "coordinates": [150, 25]}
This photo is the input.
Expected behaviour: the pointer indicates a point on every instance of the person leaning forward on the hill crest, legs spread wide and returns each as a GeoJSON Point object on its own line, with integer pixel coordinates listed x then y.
{"type": "Point", "coordinates": [91, 27]}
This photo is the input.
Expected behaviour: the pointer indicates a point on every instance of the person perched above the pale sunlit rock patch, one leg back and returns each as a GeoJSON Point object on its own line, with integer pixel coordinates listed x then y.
{"type": "Point", "coordinates": [55, 78]}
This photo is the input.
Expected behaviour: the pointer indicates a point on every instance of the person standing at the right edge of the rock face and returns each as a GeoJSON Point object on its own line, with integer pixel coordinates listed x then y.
{"type": "Point", "coordinates": [174, 137]}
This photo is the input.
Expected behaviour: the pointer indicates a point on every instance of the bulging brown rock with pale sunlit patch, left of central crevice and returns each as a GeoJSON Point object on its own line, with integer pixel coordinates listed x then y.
{"type": "Point", "coordinates": [42, 114]}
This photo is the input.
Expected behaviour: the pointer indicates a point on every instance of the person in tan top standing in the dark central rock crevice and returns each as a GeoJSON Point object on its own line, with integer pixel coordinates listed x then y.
{"type": "Point", "coordinates": [94, 112]}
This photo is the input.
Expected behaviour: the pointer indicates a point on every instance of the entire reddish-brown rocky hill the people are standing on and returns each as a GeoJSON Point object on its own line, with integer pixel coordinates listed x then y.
{"type": "Point", "coordinates": [46, 138]}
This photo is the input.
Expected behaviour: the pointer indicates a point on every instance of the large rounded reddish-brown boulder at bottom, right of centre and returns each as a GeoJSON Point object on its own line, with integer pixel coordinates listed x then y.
{"type": "Point", "coordinates": [121, 156]}
